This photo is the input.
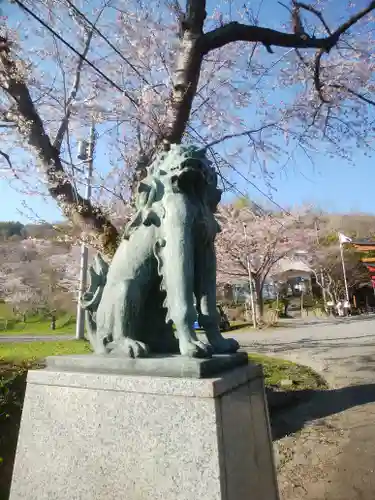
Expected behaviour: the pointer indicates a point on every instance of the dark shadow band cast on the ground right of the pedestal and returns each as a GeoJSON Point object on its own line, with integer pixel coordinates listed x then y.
{"type": "Point", "coordinates": [317, 405]}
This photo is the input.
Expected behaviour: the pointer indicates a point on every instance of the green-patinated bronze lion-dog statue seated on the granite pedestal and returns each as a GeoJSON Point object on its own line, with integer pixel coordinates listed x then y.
{"type": "Point", "coordinates": [143, 302]}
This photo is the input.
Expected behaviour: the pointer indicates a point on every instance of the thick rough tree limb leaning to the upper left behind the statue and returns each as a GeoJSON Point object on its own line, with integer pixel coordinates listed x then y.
{"type": "Point", "coordinates": [30, 126]}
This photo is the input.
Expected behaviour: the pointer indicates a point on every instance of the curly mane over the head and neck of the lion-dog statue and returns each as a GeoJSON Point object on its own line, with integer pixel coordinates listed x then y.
{"type": "Point", "coordinates": [159, 178]}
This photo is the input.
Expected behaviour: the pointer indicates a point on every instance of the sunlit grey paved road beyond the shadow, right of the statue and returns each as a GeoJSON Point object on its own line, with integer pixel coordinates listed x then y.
{"type": "Point", "coordinates": [343, 351]}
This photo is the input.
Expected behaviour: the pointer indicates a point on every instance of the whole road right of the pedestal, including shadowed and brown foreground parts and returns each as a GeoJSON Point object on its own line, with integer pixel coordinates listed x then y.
{"type": "Point", "coordinates": [326, 447]}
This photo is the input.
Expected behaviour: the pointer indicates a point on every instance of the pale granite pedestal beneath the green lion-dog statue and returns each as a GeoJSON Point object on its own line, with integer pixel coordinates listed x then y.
{"type": "Point", "coordinates": [93, 432]}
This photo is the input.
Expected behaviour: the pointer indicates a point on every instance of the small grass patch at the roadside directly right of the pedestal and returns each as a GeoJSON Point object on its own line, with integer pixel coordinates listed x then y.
{"type": "Point", "coordinates": [275, 370]}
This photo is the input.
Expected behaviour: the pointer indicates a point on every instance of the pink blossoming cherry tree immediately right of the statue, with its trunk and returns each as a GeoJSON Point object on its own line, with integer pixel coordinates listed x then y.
{"type": "Point", "coordinates": [258, 241]}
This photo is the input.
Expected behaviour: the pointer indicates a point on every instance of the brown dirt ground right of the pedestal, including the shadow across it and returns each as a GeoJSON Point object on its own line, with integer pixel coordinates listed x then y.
{"type": "Point", "coordinates": [332, 457]}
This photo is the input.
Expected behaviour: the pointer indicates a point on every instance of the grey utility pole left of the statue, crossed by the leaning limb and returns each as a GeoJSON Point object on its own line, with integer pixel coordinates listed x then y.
{"type": "Point", "coordinates": [86, 153]}
